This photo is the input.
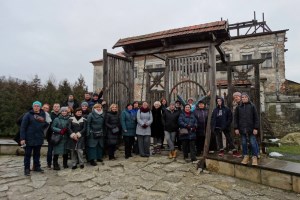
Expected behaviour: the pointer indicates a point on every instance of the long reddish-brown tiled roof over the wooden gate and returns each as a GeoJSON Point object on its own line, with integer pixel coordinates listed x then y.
{"type": "Point", "coordinates": [201, 28]}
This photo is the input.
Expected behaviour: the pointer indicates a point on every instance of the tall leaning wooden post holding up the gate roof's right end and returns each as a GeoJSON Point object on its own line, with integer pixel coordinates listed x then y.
{"type": "Point", "coordinates": [213, 90]}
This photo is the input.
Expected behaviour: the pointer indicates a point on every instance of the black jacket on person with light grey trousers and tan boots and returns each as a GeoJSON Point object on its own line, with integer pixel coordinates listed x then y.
{"type": "Point", "coordinates": [170, 120]}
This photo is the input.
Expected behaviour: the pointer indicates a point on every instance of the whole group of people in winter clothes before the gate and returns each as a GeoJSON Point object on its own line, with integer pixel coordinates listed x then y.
{"type": "Point", "coordinates": [92, 129]}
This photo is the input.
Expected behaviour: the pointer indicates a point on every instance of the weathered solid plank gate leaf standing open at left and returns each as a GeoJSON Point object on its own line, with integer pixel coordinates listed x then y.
{"type": "Point", "coordinates": [117, 79]}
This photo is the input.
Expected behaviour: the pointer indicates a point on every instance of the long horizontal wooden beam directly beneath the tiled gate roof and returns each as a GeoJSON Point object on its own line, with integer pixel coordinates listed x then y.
{"type": "Point", "coordinates": [168, 49]}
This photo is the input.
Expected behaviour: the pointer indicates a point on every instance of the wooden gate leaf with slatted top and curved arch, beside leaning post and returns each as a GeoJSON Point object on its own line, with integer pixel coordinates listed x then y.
{"type": "Point", "coordinates": [187, 77]}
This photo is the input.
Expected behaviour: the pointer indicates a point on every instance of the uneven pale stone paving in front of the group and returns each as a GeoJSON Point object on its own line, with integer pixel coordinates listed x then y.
{"type": "Point", "coordinates": [156, 177]}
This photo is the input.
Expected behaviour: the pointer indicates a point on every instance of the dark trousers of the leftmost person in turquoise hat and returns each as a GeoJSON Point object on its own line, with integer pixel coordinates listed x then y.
{"type": "Point", "coordinates": [36, 156]}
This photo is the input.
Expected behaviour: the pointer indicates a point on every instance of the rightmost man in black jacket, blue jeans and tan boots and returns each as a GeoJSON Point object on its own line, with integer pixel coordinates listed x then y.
{"type": "Point", "coordinates": [246, 124]}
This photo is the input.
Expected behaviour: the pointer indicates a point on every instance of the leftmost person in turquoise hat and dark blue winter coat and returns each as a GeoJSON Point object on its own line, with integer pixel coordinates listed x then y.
{"type": "Point", "coordinates": [32, 135]}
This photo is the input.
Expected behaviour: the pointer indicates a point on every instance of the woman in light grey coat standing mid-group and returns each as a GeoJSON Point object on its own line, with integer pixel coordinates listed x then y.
{"type": "Point", "coordinates": [143, 130]}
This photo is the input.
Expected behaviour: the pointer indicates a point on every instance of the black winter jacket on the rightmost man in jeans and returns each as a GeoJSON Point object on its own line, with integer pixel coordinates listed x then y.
{"type": "Point", "coordinates": [246, 118]}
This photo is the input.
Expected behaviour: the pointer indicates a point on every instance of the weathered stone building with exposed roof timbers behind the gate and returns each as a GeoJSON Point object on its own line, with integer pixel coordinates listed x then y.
{"type": "Point", "coordinates": [258, 43]}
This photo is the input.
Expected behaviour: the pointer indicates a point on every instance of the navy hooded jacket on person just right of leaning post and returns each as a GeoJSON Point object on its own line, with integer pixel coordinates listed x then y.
{"type": "Point", "coordinates": [221, 117]}
